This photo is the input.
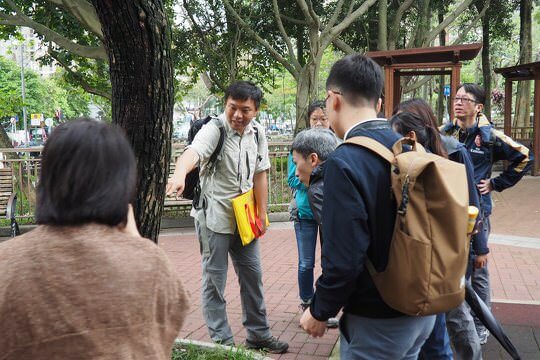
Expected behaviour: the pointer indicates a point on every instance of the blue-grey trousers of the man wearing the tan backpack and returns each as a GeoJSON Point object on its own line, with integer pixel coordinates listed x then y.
{"type": "Point", "coordinates": [396, 338]}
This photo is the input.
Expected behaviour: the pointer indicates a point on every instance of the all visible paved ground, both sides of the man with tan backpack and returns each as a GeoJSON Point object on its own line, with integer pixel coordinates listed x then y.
{"type": "Point", "coordinates": [515, 274]}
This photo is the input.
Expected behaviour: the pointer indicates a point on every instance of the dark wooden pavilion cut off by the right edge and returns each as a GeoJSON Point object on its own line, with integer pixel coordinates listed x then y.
{"type": "Point", "coordinates": [530, 71]}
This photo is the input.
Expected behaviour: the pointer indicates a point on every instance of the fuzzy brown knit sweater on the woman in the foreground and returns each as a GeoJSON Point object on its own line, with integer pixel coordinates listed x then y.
{"type": "Point", "coordinates": [88, 292]}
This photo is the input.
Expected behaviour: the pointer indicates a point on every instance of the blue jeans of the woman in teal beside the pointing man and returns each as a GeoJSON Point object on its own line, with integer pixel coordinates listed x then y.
{"type": "Point", "coordinates": [306, 239]}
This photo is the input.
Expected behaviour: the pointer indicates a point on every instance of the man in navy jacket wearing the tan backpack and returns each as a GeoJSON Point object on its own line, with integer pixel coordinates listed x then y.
{"type": "Point", "coordinates": [358, 220]}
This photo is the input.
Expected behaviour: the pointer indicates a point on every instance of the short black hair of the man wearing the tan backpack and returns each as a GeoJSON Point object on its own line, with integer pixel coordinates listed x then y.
{"type": "Point", "coordinates": [359, 78]}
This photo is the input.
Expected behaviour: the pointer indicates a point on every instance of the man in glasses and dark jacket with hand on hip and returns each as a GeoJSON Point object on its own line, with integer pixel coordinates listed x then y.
{"type": "Point", "coordinates": [486, 146]}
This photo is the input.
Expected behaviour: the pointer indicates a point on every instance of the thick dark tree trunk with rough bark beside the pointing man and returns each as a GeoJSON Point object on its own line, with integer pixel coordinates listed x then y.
{"type": "Point", "coordinates": [137, 38]}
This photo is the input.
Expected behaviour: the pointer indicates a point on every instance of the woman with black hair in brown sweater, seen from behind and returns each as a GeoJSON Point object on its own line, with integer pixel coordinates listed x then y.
{"type": "Point", "coordinates": [84, 284]}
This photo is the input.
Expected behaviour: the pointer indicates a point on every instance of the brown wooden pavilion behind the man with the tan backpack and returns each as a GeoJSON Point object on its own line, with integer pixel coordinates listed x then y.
{"type": "Point", "coordinates": [439, 60]}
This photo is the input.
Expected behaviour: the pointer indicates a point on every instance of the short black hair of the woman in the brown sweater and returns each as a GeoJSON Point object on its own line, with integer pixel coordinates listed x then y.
{"type": "Point", "coordinates": [88, 174]}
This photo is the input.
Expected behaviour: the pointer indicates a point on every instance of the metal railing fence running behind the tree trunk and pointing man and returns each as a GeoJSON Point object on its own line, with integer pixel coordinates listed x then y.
{"type": "Point", "coordinates": [26, 165]}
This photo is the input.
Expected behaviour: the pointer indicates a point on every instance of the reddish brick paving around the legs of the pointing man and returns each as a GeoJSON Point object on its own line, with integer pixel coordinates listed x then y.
{"type": "Point", "coordinates": [279, 260]}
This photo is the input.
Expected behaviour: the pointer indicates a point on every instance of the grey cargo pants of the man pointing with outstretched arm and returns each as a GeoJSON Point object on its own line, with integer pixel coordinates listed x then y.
{"type": "Point", "coordinates": [215, 248]}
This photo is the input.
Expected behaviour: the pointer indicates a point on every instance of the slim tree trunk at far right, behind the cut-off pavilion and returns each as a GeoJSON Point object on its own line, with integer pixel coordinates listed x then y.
{"type": "Point", "coordinates": [523, 98]}
